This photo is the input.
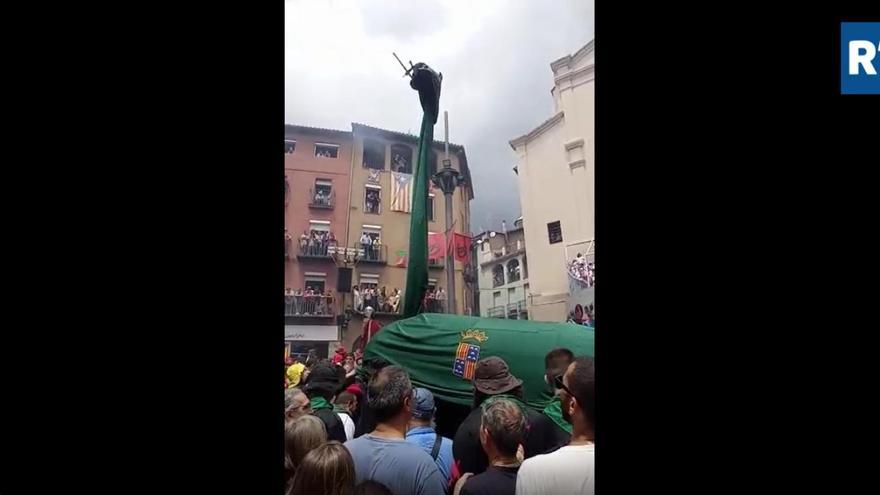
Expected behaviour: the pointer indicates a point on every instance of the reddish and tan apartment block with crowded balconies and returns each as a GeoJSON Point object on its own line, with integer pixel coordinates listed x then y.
{"type": "Point", "coordinates": [338, 185]}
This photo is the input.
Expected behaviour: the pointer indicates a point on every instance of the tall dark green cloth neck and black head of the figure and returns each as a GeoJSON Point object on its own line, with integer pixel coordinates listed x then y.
{"type": "Point", "coordinates": [427, 83]}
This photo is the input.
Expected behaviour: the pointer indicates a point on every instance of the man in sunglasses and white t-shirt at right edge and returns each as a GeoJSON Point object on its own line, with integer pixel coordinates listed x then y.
{"type": "Point", "coordinates": [570, 468]}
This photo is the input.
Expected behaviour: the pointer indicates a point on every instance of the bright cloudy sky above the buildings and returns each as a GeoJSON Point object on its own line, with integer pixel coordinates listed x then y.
{"type": "Point", "coordinates": [494, 55]}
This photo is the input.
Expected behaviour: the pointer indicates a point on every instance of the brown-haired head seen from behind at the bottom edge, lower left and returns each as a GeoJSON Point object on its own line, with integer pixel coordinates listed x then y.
{"type": "Point", "coordinates": [326, 470]}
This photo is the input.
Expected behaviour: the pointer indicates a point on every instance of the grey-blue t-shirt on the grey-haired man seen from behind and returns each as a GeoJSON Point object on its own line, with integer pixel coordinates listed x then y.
{"type": "Point", "coordinates": [401, 466]}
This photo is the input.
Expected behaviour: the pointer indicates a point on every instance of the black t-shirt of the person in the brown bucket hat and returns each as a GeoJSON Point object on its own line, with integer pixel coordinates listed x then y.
{"type": "Point", "coordinates": [466, 448]}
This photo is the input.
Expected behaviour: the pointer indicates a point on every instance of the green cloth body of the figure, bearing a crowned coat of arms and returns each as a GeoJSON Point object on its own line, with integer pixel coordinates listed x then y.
{"type": "Point", "coordinates": [426, 346]}
